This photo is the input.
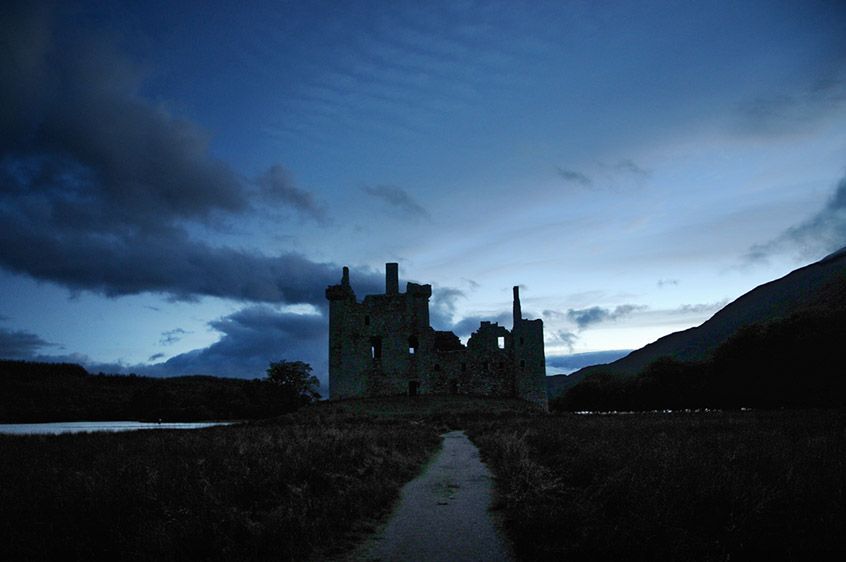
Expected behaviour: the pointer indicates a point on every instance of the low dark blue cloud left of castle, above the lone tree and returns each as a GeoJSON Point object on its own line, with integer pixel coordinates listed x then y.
{"type": "Point", "coordinates": [252, 338]}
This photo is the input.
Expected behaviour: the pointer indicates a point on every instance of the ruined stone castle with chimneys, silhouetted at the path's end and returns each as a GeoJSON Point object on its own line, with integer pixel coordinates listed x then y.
{"type": "Point", "coordinates": [384, 346]}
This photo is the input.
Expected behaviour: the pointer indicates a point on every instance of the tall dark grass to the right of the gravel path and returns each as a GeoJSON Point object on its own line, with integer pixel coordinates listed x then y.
{"type": "Point", "coordinates": [687, 486]}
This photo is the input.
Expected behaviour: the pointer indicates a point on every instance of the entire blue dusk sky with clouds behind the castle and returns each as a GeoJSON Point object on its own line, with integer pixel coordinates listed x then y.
{"type": "Point", "coordinates": [180, 181]}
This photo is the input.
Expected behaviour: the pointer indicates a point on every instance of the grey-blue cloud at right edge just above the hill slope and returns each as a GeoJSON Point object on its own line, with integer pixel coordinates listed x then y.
{"type": "Point", "coordinates": [823, 233]}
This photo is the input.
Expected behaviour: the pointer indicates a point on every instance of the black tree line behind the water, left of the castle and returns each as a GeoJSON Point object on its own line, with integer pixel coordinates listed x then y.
{"type": "Point", "coordinates": [43, 392]}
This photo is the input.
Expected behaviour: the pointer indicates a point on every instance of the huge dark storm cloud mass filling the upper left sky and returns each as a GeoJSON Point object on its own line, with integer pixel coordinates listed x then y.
{"type": "Point", "coordinates": [98, 186]}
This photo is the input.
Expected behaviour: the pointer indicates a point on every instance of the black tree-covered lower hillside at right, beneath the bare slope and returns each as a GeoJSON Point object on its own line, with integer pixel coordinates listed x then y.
{"type": "Point", "coordinates": [794, 362]}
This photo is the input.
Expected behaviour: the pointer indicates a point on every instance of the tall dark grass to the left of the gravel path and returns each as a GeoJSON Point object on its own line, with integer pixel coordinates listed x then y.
{"type": "Point", "coordinates": [284, 489]}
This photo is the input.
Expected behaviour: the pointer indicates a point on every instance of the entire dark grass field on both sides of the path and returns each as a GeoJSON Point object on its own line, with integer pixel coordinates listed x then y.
{"type": "Point", "coordinates": [675, 486]}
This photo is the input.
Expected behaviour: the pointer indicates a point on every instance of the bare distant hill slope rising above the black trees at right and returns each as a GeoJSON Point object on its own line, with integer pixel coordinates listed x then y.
{"type": "Point", "coordinates": [820, 286]}
